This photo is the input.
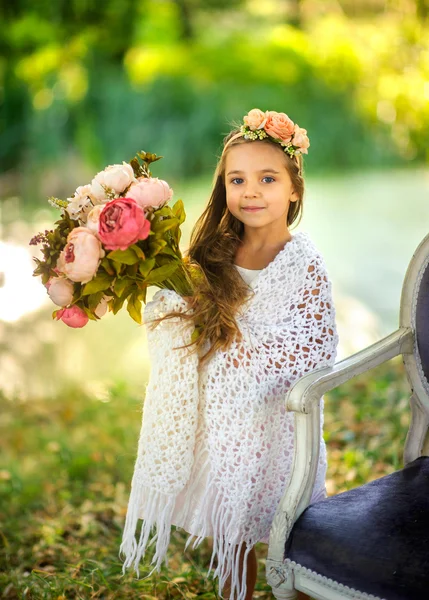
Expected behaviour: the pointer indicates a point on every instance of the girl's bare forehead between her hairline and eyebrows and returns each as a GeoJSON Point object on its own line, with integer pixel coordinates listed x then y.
{"type": "Point", "coordinates": [253, 156]}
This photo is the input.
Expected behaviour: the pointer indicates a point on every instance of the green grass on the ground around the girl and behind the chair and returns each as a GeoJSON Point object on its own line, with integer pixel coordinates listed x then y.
{"type": "Point", "coordinates": [64, 479]}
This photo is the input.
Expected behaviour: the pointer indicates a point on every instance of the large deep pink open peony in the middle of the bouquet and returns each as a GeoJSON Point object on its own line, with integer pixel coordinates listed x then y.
{"type": "Point", "coordinates": [122, 223]}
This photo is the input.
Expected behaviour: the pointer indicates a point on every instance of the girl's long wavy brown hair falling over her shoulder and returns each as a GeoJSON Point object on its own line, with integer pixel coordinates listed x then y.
{"type": "Point", "coordinates": [220, 290]}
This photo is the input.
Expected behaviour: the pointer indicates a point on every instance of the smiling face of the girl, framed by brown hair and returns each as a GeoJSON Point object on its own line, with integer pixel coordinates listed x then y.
{"type": "Point", "coordinates": [256, 176]}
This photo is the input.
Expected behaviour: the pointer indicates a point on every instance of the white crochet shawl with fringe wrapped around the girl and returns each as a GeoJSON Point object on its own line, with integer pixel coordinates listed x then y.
{"type": "Point", "coordinates": [229, 415]}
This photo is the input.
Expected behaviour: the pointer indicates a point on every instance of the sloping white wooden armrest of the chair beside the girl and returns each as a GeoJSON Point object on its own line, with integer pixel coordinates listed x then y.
{"type": "Point", "coordinates": [308, 390]}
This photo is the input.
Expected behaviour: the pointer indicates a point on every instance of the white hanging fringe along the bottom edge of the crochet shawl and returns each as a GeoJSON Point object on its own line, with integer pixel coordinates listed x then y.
{"type": "Point", "coordinates": [158, 512]}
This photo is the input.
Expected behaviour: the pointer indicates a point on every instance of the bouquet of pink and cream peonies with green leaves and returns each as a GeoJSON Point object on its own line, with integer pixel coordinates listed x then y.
{"type": "Point", "coordinates": [116, 237]}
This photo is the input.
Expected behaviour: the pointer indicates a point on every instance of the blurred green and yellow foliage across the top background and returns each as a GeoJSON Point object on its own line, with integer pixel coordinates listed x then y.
{"type": "Point", "coordinates": [102, 80]}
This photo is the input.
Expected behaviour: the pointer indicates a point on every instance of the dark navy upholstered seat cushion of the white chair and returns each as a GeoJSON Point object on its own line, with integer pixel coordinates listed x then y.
{"type": "Point", "coordinates": [374, 538]}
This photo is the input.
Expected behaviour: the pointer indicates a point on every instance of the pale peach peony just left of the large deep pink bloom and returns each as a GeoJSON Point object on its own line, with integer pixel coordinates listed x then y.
{"type": "Point", "coordinates": [80, 258]}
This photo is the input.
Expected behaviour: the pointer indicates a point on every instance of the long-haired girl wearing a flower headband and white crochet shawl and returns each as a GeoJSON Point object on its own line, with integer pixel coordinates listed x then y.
{"type": "Point", "coordinates": [216, 445]}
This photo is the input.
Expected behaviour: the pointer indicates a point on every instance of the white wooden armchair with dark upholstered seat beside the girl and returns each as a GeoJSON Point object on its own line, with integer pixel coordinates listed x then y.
{"type": "Point", "coordinates": [371, 542]}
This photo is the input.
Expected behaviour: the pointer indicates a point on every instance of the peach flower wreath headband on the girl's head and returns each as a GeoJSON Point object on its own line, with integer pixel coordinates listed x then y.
{"type": "Point", "coordinates": [276, 126]}
